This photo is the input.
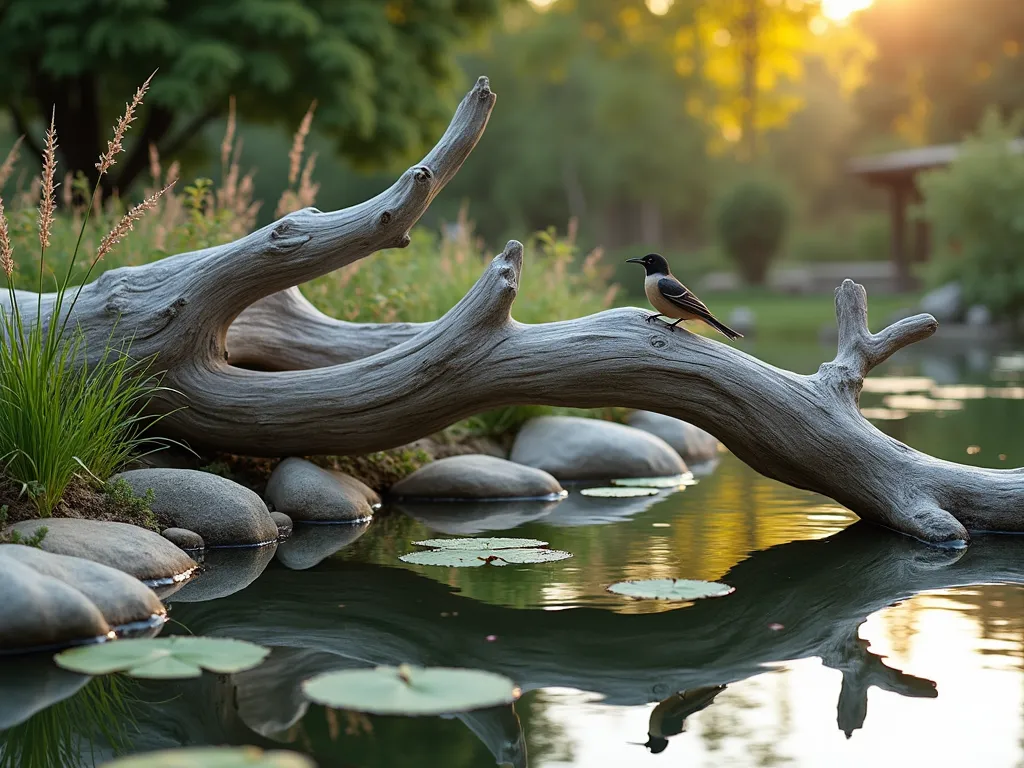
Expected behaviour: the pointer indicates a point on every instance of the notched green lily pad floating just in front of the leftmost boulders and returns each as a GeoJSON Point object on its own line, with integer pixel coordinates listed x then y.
{"type": "Point", "coordinates": [164, 659]}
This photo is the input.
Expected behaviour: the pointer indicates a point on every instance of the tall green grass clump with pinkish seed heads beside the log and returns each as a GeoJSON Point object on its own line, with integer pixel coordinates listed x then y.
{"type": "Point", "coordinates": [67, 413]}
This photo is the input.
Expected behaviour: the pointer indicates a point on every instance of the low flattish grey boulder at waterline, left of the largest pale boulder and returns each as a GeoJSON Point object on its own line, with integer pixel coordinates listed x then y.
{"type": "Point", "coordinates": [476, 477]}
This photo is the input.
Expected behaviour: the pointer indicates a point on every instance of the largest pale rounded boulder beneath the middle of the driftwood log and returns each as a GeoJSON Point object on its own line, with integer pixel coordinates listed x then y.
{"type": "Point", "coordinates": [575, 449]}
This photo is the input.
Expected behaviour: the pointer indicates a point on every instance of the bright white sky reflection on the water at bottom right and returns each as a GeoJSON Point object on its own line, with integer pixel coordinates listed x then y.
{"type": "Point", "coordinates": [788, 716]}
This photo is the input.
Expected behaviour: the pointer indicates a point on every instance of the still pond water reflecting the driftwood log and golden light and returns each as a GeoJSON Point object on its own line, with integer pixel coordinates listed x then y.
{"type": "Point", "coordinates": [843, 645]}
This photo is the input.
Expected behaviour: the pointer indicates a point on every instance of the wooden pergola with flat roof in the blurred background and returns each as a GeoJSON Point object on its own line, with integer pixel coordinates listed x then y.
{"type": "Point", "coordinates": [898, 173]}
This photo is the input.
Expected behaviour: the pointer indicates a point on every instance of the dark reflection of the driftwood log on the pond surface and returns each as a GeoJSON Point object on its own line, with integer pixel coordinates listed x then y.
{"type": "Point", "coordinates": [795, 602]}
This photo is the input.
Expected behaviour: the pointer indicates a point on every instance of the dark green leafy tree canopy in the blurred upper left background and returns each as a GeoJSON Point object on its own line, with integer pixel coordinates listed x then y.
{"type": "Point", "coordinates": [382, 72]}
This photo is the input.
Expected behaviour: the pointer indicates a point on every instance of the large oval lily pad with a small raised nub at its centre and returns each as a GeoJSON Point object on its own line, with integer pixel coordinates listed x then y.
{"type": "Point", "coordinates": [411, 691]}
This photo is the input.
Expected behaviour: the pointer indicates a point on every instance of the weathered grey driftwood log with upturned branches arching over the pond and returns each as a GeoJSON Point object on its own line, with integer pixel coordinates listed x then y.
{"type": "Point", "coordinates": [349, 389]}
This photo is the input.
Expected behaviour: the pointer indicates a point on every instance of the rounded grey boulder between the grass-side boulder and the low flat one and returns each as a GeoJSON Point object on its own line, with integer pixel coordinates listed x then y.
{"type": "Point", "coordinates": [310, 494]}
